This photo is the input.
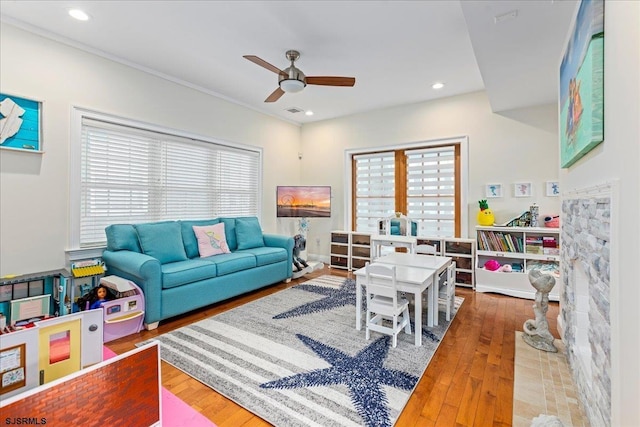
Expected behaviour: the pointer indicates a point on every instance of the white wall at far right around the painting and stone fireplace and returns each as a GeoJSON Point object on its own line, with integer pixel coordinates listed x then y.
{"type": "Point", "coordinates": [617, 159]}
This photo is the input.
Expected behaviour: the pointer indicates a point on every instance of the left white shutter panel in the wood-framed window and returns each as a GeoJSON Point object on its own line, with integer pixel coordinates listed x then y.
{"type": "Point", "coordinates": [374, 189]}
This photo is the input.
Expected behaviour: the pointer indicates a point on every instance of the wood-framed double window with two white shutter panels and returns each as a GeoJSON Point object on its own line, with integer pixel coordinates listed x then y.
{"type": "Point", "coordinates": [425, 182]}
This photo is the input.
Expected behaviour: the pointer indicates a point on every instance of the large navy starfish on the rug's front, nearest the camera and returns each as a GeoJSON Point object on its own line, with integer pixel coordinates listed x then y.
{"type": "Point", "coordinates": [363, 374]}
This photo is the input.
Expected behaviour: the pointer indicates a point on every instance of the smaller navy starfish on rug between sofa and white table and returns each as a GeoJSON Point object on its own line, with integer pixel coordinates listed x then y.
{"type": "Point", "coordinates": [345, 295]}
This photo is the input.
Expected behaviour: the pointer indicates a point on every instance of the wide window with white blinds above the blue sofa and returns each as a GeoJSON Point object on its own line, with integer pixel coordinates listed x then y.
{"type": "Point", "coordinates": [131, 175]}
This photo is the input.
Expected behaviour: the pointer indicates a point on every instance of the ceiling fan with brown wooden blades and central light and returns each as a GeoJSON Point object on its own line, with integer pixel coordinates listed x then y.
{"type": "Point", "coordinates": [292, 79]}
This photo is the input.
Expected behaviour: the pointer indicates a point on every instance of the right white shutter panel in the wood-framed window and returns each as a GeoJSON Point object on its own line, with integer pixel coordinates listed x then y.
{"type": "Point", "coordinates": [431, 190]}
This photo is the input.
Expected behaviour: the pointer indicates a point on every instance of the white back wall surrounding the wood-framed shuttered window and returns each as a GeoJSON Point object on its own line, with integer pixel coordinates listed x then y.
{"type": "Point", "coordinates": [501, 150]}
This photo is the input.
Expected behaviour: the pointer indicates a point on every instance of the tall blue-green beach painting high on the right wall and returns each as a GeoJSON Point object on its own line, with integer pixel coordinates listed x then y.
{"type": "Point", "coordinates": [582, 85]}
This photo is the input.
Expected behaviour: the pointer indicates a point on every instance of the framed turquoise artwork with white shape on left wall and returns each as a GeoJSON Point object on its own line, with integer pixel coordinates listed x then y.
{"type": "Point", "coordinates": [20, 123]}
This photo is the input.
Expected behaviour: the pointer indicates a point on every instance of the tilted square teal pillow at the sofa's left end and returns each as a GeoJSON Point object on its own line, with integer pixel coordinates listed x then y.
{"type": "Point", "coordinates": [162, 240]}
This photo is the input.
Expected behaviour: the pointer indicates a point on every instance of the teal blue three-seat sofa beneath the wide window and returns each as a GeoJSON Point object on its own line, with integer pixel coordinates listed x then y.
{"type": "Point", "coordinates": [163, 259]}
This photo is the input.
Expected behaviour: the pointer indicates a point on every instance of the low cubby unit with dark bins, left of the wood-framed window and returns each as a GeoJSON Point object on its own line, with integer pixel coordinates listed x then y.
{"type": "Point", "coordinates": [350, 250]}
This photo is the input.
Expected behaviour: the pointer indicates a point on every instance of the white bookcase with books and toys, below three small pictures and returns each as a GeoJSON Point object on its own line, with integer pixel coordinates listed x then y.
{"type": "Point", "coordinates": [524, 248]}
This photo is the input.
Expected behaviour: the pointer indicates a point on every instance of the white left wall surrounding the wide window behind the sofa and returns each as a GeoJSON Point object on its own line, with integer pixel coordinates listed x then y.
{"type": "Point", "coordinates": [34, 189]}
